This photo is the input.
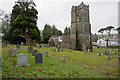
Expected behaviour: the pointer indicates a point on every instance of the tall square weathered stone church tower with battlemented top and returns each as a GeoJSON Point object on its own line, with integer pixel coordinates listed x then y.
{"type": "Point", "coordinates": [80, 37]}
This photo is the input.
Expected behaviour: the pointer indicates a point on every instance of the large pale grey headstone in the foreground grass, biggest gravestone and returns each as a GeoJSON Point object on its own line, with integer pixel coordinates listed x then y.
{"type": "Point", "coordinates": [22, 59]}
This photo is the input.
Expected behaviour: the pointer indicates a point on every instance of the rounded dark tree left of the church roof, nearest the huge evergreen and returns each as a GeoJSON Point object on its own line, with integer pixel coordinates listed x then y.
{"type": "Point", "coordinates": [47, 33]}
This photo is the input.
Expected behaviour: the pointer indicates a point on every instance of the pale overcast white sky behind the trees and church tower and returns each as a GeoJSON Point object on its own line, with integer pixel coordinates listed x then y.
{"type": "Point", "coordinates": [103, 13]}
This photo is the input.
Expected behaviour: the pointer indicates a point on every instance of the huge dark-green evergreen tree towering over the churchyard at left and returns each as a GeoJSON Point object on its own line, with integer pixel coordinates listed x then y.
{"type": "Point", "coordinates": [23, 22]}
